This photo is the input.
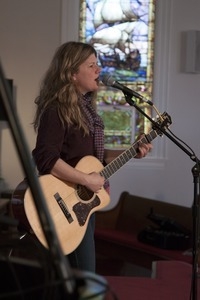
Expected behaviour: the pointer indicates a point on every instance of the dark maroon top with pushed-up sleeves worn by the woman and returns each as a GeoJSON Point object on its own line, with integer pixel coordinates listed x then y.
{"type": "Point", "coordinates": [55, 141]}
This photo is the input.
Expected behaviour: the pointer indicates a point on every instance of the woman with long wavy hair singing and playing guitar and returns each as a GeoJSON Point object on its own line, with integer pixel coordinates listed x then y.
{"type": "Point", "coordinates": [68, 128]}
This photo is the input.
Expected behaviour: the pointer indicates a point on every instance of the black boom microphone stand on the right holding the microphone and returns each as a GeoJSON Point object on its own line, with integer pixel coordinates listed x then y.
{"type": "Point", "coordinates": [196, 178]}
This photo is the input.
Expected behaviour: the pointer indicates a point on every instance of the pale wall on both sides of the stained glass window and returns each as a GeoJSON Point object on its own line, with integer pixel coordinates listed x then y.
{"type": "Point", "coordinates": [30, 31]}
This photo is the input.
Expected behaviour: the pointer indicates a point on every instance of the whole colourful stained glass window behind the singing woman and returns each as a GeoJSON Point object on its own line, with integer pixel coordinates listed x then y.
{"type": "Point", "coordinates": [122, 32]}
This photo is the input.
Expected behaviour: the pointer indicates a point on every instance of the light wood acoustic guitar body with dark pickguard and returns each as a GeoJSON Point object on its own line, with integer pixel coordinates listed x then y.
{"type": "Point", "coordinates": [70, 206]}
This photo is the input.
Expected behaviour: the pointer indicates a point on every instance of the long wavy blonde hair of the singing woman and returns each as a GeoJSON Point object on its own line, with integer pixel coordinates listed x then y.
{"type": "Point", "coordinates": [57, 87]}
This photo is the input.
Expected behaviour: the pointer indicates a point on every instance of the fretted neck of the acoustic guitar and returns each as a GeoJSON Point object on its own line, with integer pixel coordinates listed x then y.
{"type": "Point", "coordinates": [127, 155]}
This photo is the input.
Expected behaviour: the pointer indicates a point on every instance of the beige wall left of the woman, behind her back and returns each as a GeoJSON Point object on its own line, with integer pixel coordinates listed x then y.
{"type": "Point", "coordinates": [29, 34]}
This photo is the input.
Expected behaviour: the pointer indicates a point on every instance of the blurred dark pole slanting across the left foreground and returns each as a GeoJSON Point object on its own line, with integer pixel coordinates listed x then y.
{"type": "Point", "coordinates": [62, 269]}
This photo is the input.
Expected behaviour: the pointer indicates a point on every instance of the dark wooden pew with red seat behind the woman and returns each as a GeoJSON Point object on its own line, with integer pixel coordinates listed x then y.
{"type": "Point", "coordinates": [117, 230]}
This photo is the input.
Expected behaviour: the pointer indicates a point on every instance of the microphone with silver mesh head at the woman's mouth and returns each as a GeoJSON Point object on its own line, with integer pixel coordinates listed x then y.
{"type": "Point", "coordinates": [108, 80]}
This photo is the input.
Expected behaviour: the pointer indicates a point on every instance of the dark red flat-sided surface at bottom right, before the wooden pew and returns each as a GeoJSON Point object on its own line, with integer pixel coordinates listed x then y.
{"type": "Point", "coordinates": [171, 280]}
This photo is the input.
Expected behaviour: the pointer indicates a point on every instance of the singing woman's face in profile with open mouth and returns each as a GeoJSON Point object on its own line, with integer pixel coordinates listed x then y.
{"type": "Point", "coordinates": [87, 77]}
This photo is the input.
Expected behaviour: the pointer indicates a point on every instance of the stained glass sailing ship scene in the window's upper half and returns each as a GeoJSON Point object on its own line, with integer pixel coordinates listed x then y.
{"type": "Point", "coordinates": [122, 33]}
